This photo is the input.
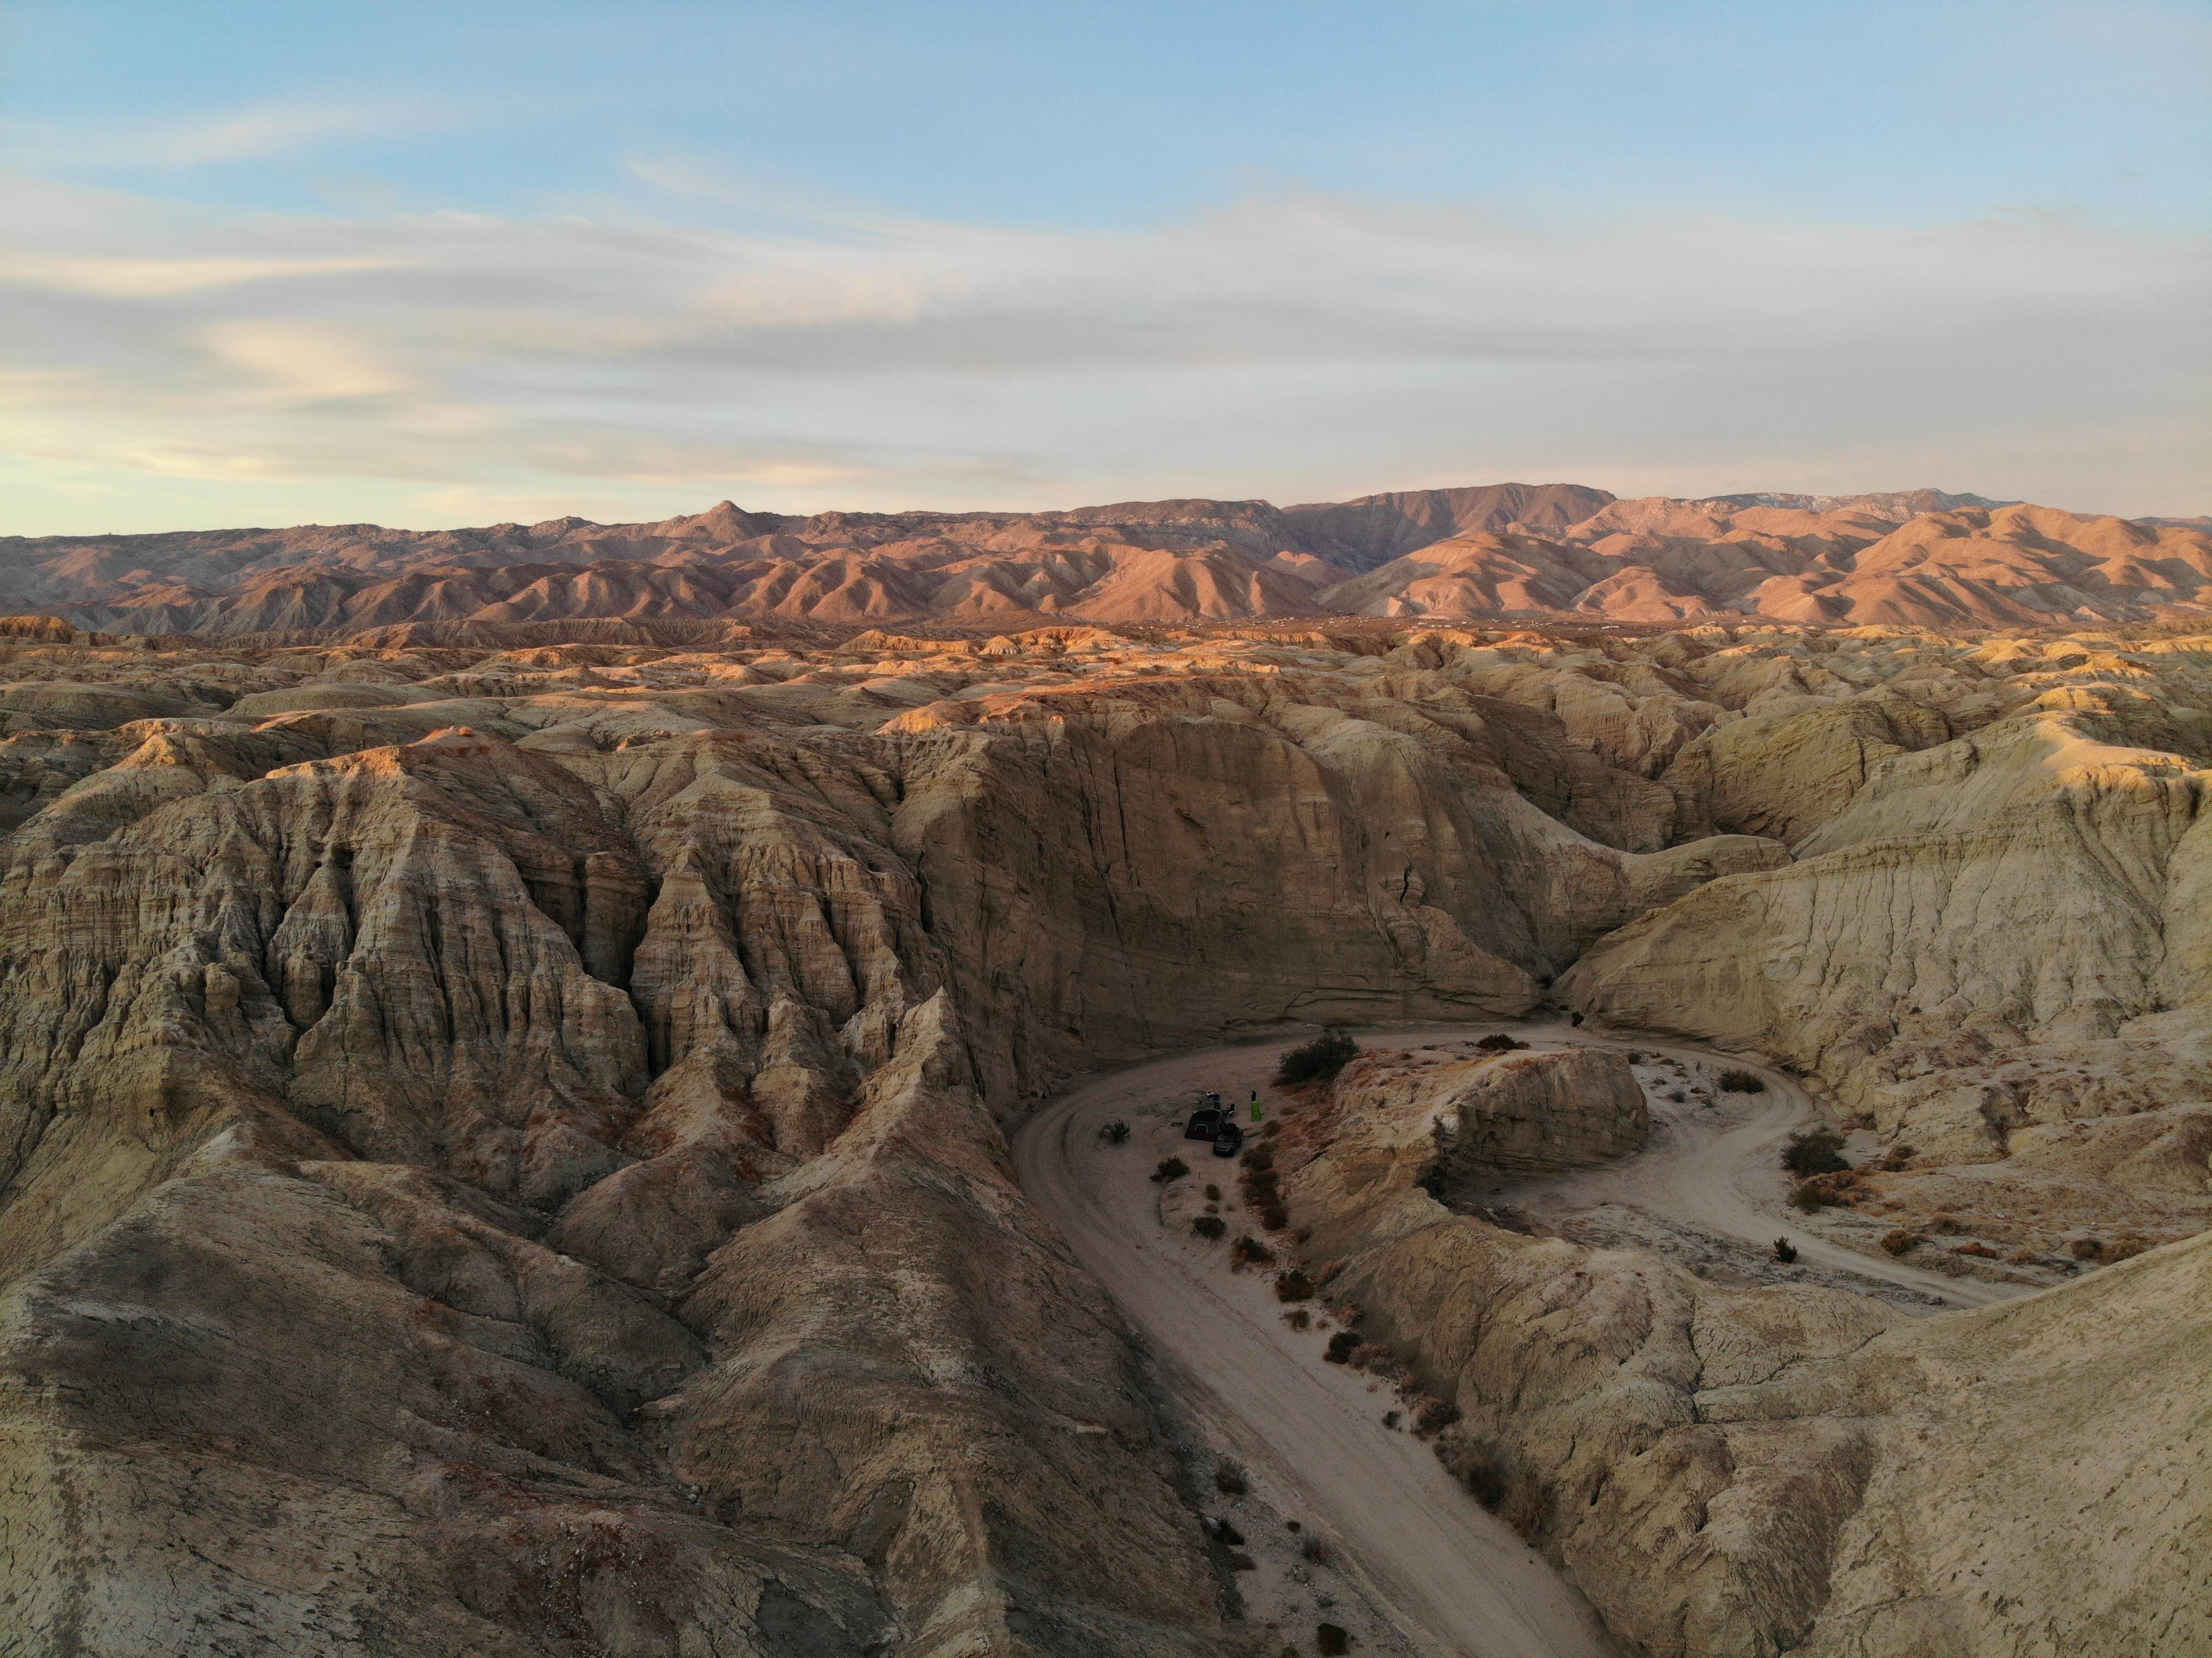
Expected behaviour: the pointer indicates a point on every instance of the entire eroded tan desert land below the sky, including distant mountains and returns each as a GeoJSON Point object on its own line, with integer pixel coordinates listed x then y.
{"type": "Point", "coordinates": [561, 1109]}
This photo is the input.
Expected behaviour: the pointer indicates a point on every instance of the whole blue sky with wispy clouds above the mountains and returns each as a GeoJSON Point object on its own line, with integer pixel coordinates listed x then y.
{"type": "Point", "coordinates": [479, 262]}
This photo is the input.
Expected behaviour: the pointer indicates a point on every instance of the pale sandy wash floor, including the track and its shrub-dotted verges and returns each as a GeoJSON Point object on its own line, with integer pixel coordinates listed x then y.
{"type": "Point", "coordinates": [1415, 1564]}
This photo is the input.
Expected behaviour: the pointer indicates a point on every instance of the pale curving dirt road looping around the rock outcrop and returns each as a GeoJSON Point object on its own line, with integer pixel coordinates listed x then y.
{"type": "Point", "coordinates": [1454, 1577]}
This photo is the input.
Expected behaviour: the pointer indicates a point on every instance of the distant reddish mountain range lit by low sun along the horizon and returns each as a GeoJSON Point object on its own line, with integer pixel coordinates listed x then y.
{"type": "Point", "coordinates": [1494, 552]}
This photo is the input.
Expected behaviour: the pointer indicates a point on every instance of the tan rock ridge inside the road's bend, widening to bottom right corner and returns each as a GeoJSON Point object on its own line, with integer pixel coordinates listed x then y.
{"type": "Point", "coordinates": [1740, 1473]}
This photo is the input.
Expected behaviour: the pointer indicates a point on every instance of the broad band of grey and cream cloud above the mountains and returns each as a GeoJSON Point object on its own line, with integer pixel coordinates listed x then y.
{"type": "Point", "coordinates": [1286, 344]}
